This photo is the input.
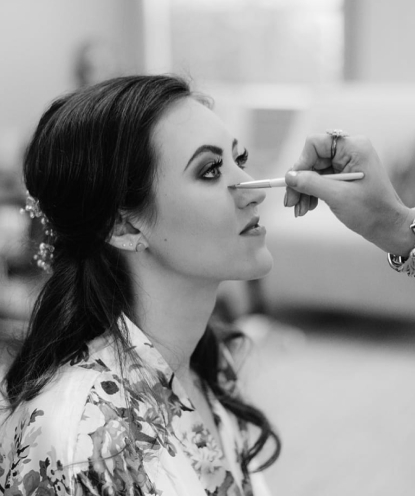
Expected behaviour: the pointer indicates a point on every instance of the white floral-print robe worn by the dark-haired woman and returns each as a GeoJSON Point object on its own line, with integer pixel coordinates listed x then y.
{"type": "Point", "coordinates": [94, 432]}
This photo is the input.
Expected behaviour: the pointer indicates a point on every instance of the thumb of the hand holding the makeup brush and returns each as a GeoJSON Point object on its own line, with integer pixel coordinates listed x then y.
{"type": "Point", "coordinates": [313, 184]}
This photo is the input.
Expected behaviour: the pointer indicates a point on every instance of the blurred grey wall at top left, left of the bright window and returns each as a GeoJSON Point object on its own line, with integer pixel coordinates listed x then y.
{"type": "Point", "coordinates": [39, 41]}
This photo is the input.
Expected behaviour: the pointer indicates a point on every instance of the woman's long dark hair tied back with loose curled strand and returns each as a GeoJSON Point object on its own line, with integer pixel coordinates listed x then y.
{"type": "Point", "coordinates": [91, 158]}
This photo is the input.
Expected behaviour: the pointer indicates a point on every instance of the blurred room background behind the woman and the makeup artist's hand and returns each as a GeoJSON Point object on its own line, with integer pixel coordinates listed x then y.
{"type": "Point", "coordinates": [333, 326]}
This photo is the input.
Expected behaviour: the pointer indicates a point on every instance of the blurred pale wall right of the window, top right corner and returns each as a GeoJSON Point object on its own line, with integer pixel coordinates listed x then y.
{"type": "Point", "coordinates": [379, 41]}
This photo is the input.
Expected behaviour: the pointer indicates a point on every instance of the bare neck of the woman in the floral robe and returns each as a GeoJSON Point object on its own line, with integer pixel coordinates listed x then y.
{"type": "Point", "coordinates": [173, 311]}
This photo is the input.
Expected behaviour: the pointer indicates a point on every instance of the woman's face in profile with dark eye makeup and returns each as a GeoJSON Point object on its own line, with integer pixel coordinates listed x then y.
{"type": "Point", "coordinates": [203, 228]}
